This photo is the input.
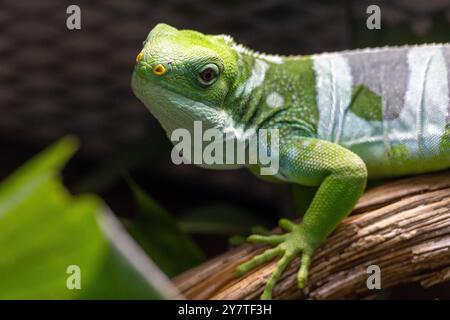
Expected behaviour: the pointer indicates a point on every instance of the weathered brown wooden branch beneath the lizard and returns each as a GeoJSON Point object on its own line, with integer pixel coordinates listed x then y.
{"type": "Point", "coordinates": [402, 226]}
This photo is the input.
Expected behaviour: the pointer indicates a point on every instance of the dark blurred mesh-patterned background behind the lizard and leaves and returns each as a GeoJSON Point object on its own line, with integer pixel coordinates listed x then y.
{"type": "Point", "coordinates": [55, 82]}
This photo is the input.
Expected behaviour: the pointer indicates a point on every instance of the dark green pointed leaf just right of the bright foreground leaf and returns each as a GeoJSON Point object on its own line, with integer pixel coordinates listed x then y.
{"type": "Point", "coordinates": [159, 235]}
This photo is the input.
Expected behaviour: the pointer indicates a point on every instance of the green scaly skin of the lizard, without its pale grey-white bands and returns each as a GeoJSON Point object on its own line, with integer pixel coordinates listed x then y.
{"type": "Point", "coordinates": [257, 91]}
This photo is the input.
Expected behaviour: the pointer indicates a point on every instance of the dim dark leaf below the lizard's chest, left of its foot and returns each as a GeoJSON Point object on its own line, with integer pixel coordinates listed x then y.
{"type": "Point", "coordinates": [220, 219]}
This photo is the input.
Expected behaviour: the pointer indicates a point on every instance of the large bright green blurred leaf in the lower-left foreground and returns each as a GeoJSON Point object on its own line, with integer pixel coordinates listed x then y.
{"type": "Point", "coordinates": [44, 230]}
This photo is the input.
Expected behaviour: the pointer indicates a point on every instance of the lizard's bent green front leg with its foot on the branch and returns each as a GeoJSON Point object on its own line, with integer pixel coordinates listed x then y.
{"type": "Point", "coordinates": [341, 178]}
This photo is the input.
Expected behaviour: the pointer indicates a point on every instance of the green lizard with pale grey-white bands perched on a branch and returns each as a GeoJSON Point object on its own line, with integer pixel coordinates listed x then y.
{"type": "Point", "coordinates": [342, 118]}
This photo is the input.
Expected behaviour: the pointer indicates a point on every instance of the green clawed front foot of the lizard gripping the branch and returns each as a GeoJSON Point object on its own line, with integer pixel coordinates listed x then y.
{"type": "Point", "coordinates": [287, 245]}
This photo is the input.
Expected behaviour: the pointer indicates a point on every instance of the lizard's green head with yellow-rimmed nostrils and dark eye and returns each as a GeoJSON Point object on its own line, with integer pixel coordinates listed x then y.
{"type": "Point", "coordinates": [183, 76]}
